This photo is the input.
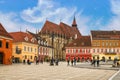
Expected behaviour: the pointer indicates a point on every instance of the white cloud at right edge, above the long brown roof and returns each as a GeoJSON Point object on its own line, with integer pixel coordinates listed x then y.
{"type": "Point", "coordinates": [114, 23]}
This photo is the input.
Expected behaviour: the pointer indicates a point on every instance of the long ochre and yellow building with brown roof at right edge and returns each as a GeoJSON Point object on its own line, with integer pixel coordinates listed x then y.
{"type": "Point", "coordinates": [106, 44]}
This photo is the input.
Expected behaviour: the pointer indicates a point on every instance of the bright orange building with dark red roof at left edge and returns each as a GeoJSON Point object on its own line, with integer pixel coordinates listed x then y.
{"type": "Point", "coordinates": [5, 46]}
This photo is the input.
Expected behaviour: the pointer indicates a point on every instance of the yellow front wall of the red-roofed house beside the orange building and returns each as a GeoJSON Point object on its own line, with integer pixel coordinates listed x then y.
{"type": "Point", "coordinates": [29, 53]}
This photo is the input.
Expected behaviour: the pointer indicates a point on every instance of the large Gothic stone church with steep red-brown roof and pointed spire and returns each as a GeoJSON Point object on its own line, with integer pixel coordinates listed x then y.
{"type": "Point", "coordinates": [58, 35]}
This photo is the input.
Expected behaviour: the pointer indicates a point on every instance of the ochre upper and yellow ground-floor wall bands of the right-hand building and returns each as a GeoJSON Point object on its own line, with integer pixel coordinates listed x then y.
{"type": "Point", "coordinates": [103, 44]}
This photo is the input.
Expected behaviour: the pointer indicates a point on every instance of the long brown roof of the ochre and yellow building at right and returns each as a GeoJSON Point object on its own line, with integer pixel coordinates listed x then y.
{"type": "Point", "coordinates": [111, 35]}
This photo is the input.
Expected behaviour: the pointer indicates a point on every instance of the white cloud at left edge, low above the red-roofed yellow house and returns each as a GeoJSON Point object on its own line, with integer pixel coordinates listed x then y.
{"type": "Point", "coordinates": [12, 24]}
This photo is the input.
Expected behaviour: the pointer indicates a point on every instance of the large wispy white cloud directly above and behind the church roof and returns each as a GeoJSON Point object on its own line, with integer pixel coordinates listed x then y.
{"type": "Point", "coordinates": [50, 10]}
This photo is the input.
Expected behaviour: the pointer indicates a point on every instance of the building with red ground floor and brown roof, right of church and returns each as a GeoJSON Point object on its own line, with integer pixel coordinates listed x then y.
{"type": "Point", "coordinates": [79, 49]}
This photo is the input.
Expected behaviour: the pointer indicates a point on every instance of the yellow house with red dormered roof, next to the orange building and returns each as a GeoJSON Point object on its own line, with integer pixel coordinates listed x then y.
{"type": "Point", "coordinates": [24, 46]}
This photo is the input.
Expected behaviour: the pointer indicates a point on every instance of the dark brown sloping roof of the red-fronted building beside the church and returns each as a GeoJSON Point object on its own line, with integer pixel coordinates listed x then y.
{"type": "Point", "coordinates": [83, 41]}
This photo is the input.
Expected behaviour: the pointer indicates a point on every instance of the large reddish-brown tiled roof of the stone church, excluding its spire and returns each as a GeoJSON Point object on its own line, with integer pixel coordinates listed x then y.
{"type": "Point", "coordinates": [62, 28]}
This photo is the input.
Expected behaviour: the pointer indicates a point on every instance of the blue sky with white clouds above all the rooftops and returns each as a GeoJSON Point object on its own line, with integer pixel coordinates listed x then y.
{"type": "Point", "coordinates": [16, 15]}
